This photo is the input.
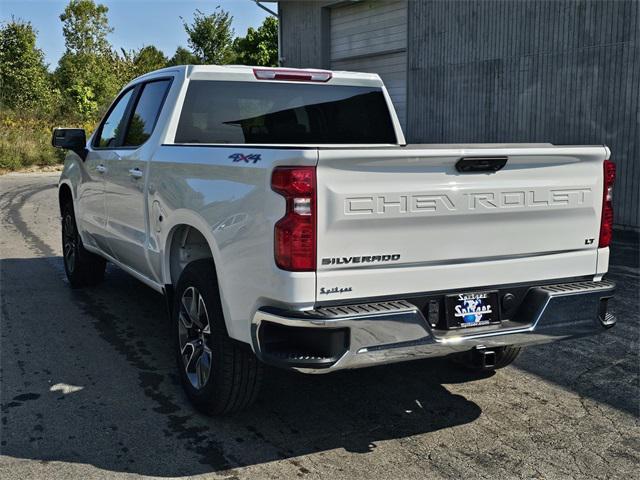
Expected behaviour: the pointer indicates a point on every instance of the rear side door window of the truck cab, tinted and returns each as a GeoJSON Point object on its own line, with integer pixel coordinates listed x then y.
{"type": "Point", "coordinates": [146, 113]}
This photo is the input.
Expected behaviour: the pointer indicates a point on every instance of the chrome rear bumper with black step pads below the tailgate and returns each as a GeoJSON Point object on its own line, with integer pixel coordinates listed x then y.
{"type": "Point", "coordinates": [385, 332]}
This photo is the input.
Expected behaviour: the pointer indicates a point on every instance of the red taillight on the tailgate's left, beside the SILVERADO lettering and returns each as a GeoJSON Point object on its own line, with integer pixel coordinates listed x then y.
{"type": "Point", "coordinates": [295, 233]}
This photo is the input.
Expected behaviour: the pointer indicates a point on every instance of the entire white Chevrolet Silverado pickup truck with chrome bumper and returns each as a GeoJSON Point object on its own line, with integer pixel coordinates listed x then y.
{"type": "Point", "coordinates": [287, 222]}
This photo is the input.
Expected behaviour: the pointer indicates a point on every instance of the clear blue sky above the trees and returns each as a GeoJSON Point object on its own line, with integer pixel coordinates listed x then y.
{"type": "Point", "coordinates": [136, 23]}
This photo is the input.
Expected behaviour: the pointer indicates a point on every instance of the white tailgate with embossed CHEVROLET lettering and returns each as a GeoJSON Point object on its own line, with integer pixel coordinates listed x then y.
{"type": "Point", "coordinates": [404, 220]}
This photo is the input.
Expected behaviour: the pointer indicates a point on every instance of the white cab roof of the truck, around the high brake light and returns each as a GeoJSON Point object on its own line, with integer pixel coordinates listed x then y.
{"type": "Point", "coordinates": [246, 73]}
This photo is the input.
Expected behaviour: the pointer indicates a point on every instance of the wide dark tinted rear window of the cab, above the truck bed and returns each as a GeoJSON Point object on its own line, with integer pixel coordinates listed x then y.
{"type": "Point", "coordinates": [280, 113]}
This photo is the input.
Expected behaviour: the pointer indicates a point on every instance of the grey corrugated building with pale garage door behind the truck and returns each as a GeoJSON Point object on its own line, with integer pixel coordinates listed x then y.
{"type": "Point", "coordinates": [565, 72]}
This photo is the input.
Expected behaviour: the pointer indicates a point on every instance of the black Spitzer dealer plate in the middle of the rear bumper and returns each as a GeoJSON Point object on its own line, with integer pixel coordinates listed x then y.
{"type": "Point", "coordinates": [472, 309]}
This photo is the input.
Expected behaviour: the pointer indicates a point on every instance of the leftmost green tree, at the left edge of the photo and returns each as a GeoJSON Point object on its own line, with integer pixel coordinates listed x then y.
{"type": "Point", "coordinates": [24, 80]}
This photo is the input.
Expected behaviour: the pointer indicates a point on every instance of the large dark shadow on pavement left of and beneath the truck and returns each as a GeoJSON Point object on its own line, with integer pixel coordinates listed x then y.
{"type": "Point", "coordinates": [68, 396]}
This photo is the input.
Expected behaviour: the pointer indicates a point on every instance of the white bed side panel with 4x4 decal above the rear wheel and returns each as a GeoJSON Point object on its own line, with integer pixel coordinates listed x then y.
{"type": "Point", "coordinates": [202, 186]}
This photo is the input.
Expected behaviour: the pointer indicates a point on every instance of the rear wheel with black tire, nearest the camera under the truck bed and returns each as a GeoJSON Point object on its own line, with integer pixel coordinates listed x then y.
{"type": "Point", "coordinates": [227, 377]}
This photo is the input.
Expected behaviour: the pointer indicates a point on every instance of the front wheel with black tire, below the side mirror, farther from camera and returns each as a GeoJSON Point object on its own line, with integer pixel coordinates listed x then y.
{"type": "Point", "coordinates": [82, 267]}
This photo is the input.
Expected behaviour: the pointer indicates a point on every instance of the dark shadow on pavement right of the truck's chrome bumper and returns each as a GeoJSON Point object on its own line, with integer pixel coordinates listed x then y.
{"type": "Point", "coordinates": [604, 367]}
